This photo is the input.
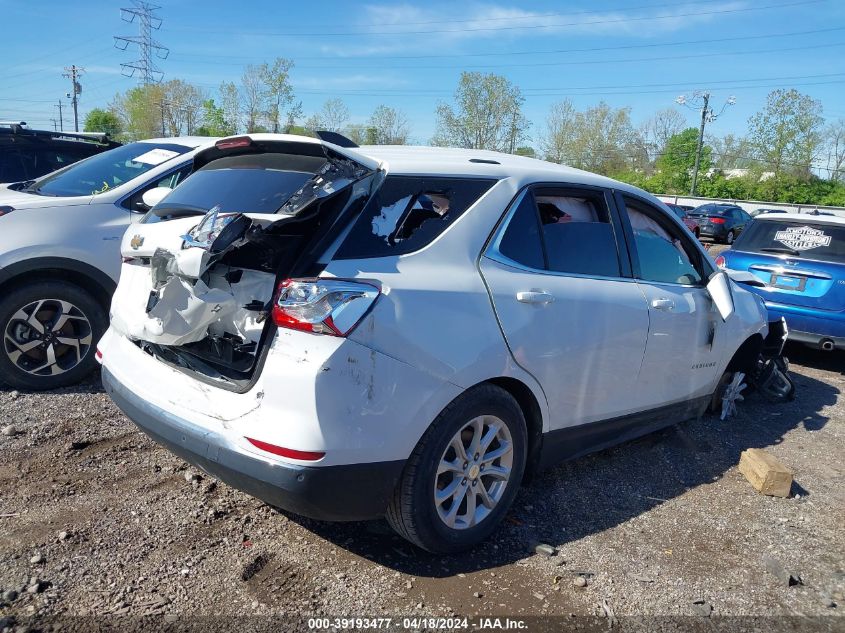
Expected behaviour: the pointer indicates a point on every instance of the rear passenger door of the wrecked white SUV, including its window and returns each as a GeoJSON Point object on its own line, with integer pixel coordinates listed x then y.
{"type": "Point", "coordinates": [569, 310]}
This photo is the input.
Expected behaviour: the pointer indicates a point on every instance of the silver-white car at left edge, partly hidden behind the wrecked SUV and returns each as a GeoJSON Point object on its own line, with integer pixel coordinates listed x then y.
{"type": "Point", "coordinates": [60, 259]}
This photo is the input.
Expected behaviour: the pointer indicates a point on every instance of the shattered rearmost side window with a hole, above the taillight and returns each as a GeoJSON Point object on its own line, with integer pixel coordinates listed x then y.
{"type": "Point", "coordinates": [407, 213]}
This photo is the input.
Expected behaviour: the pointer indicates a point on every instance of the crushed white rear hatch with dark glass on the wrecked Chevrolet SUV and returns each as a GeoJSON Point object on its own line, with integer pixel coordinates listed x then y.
{"type": "Point", "coordinates": [201, 269]}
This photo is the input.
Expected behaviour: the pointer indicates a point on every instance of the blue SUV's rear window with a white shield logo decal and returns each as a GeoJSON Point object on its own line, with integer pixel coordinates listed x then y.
{"type": "Point", "coordinates": [819, 241]}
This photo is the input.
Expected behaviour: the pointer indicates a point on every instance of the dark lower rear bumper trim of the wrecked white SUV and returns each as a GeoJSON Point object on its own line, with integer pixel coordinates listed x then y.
{"type": "Point", "coordinates": [331, 493]}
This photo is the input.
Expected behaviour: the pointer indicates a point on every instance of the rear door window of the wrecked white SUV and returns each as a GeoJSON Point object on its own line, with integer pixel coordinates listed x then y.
{"type": "Point", "coordinates": [562, 231]}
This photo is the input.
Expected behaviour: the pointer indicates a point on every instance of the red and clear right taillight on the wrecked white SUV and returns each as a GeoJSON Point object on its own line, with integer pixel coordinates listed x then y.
{"type": "Point", "coordinates": [322, 306]}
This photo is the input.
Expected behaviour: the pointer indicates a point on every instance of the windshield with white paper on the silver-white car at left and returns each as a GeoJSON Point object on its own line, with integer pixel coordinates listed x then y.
{"type": "Point", "coordinates": [107, 170]}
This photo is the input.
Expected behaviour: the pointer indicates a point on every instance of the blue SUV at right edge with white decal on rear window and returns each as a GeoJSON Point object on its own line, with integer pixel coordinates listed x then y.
{"type": "Point", "coordinates": [801, 260]}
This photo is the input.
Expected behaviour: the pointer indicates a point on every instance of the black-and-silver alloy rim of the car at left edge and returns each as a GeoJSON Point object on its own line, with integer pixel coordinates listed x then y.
{"type": "Point", "coordinates": [47, 337]}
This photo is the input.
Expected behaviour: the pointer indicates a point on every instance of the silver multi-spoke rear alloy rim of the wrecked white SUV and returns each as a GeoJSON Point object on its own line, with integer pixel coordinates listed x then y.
{"type": "Point", "coordinates": [473, 472]}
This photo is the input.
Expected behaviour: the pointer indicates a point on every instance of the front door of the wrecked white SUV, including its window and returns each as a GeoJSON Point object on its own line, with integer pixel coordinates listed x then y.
{"type": "Point", "coordinates": [687, 336]}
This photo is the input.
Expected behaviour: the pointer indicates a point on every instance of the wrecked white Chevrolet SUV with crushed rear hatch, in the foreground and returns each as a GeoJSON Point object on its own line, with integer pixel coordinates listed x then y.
{"type": "Point", "coordinates": [409, 332]}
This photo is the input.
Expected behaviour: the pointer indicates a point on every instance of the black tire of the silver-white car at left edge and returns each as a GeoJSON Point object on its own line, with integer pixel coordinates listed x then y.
{"type": "Point", "coordinates": [73, 366]}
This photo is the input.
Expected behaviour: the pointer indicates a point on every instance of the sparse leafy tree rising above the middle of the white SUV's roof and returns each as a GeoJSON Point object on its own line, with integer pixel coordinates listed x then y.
{"type": "Point", "coordinates": [487, 114]}
